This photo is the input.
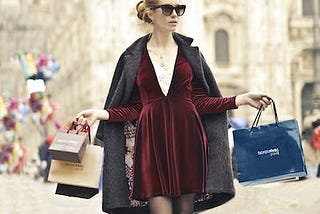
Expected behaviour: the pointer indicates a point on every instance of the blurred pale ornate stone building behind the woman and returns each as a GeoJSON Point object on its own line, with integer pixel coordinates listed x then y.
{"type": "Point", "coordinates": [267, 45]}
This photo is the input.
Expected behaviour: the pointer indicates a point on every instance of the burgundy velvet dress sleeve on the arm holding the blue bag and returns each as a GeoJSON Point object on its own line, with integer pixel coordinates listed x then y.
{"type": "Point", "coordinates": [210, 105]}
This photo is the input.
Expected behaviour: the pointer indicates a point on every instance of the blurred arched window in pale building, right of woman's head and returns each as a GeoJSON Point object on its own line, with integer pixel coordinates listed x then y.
{"type": "Point", "coordinates": [221, 47]}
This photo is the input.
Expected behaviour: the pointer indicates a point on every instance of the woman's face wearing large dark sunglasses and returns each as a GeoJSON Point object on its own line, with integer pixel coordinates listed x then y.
{"type": "Point", "coordinates": [162, 19]}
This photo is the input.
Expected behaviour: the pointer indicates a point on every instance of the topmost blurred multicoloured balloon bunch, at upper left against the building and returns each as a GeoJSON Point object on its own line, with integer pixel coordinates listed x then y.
{"type": "Point", "coordinates": [38, 66]}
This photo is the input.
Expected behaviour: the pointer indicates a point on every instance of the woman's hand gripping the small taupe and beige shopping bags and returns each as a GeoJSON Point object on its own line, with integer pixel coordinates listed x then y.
{"type": "Point", "coordinates": [90, 116]}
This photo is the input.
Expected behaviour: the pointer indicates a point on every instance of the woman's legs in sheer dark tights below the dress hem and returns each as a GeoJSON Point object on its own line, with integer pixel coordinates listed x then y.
{"type": "Point", "coordinates": [182, 204]}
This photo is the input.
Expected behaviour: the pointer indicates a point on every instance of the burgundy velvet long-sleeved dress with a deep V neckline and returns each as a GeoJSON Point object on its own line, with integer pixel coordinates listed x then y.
{"type": "Point", "coordinates": [171, 148]}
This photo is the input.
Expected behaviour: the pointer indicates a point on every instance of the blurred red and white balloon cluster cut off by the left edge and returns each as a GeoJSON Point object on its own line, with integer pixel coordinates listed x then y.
{"type": "Point", "coordinates": [13, 112]}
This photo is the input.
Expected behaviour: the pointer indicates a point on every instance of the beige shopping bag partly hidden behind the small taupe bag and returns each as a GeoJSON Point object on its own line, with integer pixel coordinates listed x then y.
{"type": "Point", "coordinates": [84, 174]}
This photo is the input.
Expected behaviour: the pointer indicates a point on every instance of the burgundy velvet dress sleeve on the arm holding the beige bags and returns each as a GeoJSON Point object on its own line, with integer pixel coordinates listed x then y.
{"type": "Point", "coordinates": [128, 112]}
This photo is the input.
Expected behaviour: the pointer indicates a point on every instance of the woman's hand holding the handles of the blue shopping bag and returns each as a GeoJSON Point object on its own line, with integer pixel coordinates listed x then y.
{"type": "Point", "coordinates": [254, 100]}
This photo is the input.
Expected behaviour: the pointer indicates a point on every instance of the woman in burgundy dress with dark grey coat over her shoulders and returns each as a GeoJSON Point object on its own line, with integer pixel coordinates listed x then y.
{"type": "Point", "coordinates": [181, 155]}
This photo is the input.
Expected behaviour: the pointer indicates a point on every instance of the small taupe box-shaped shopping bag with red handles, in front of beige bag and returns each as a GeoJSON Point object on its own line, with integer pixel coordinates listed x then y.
{"type": "Point", "coordinates": [70, 145]}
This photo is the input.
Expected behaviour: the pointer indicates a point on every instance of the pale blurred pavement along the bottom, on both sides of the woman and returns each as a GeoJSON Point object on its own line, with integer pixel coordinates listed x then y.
{"type": "Point", "coordinates": [20, 194]}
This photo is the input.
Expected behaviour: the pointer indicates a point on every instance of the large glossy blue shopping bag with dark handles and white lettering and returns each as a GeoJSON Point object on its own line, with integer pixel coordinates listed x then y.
{"type": "Point", "coordinates": [270, 152]}
